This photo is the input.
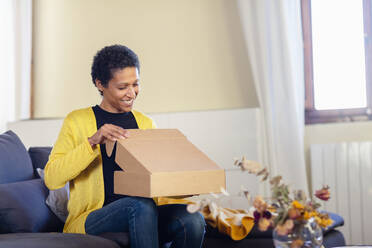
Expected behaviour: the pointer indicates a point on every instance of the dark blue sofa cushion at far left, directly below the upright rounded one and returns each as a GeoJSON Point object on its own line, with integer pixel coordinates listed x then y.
{"type": "Point", "coordinates": [23, 208]}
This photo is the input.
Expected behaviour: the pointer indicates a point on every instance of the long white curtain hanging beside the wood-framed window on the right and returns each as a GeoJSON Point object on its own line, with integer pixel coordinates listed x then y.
{"type": "Point", "coordinates": [273, 34]}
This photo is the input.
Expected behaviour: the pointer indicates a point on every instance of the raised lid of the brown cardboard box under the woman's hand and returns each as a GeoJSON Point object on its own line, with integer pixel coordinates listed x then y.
{"type": "Point", "coordinates": [159, 150]}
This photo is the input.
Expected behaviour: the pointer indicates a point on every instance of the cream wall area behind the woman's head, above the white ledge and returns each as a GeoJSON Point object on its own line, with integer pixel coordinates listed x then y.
{"type": "Point", "coordinates": [191, 52]}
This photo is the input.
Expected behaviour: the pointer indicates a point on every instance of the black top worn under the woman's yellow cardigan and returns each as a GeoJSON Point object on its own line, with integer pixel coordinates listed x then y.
{"type": "Point", "coordinates": [126, 121]}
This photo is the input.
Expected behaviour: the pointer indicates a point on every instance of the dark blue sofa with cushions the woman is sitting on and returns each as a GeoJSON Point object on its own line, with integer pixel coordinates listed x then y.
{"type": "Point", "coordinates": [27, 222]}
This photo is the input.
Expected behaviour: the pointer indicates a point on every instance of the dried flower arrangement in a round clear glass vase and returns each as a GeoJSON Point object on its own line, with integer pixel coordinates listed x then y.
{"type": "Point", "coordinates": [290, 214]}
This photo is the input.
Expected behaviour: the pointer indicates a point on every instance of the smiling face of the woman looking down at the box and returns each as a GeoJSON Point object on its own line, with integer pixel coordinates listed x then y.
{"type": "Point", "coordinates": [121, 91]}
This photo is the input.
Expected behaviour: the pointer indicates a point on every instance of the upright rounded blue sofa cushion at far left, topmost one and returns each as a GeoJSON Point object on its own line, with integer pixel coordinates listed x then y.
{"type": "Point", "coordinates": [15, 163]}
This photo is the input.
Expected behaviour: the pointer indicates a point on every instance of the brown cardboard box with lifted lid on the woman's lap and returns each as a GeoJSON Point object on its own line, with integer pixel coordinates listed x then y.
{"type": "Point", "coordinates": [162, 162]}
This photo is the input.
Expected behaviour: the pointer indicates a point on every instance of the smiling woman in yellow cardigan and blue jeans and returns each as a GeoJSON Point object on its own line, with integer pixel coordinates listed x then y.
{"type": "Point", "coordinates": [79, 157]}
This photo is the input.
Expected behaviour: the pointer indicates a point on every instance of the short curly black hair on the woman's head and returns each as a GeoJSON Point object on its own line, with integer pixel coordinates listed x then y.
{"type": "Point", "coordinates": [110, 59]}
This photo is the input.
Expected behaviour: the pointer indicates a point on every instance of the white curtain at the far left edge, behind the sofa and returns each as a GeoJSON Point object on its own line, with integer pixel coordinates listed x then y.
{"type": "Point", "coordinates": [15, 60]}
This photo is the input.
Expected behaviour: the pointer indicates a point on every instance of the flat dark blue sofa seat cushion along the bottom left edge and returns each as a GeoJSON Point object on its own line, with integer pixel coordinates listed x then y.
{"type": "Point", "coordinates": [55, 240]}
